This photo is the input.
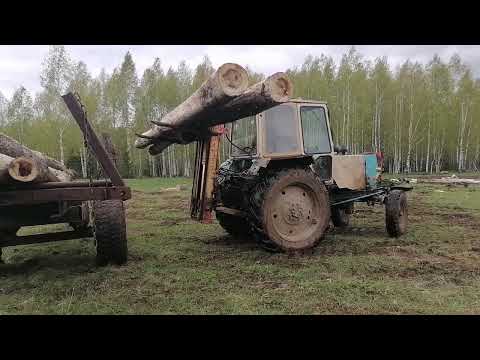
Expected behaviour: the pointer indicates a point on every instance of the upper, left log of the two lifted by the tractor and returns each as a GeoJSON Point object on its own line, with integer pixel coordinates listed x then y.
{"type": "Point", "coordinates": [229, 81]}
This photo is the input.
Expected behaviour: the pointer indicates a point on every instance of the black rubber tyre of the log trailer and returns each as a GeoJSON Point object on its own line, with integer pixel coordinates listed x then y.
{"type": "Point", "coordinates": [110, 232]}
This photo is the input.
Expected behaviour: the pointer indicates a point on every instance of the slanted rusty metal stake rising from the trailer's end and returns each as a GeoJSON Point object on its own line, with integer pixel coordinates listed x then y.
{"type": "Point", "coordinates": [94, 143]}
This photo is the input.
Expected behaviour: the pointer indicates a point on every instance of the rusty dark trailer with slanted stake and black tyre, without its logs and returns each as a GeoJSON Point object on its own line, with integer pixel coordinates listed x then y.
{"type": "Point", "coordinates": [92, 208]}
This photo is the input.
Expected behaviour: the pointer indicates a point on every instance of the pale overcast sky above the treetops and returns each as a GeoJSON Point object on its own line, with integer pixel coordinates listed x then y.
{"type": "Point", "coordinates": [20, 65]}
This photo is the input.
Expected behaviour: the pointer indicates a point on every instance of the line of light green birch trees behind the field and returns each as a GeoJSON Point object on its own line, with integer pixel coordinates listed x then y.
{"type": "Point", "coordinates": [422, 116]}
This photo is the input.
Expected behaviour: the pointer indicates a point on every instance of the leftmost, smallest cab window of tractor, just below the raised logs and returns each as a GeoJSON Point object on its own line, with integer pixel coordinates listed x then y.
{"type": "Point", "coordinates": [244, 136]}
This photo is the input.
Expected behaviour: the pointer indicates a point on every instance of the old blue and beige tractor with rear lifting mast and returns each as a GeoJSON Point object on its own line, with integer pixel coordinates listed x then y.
{"type": "Point", "coordinates": [286, 181]}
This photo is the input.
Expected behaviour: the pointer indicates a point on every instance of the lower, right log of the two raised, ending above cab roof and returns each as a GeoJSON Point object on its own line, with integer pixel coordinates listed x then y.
{"type": "Point", "coordinates": [274, 90]}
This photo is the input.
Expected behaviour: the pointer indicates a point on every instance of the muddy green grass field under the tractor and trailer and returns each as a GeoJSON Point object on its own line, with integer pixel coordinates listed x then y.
{"type": "Point", "coordinates": [177, 266]}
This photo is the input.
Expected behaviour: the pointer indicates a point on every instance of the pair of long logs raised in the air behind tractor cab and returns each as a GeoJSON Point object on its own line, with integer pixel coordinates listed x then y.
{"type": "Point", "coordinates": [223, 98]}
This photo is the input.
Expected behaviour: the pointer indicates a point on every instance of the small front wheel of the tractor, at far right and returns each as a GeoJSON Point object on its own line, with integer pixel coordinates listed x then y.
{"type": "Point", "coordinates": [396, 213]}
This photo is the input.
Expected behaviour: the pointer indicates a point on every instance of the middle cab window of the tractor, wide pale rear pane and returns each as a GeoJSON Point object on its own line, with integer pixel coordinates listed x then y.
{"type": "Point", "coordinates": [281, 130]}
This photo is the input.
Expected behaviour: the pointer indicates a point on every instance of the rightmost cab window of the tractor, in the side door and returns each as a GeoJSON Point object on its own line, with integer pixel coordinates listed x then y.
{"type": "Point", "coordinates": [315, 130]}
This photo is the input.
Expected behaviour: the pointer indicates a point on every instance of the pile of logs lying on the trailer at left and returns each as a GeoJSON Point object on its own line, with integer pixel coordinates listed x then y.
{"type": "Point", "coordinates": [19, 164]}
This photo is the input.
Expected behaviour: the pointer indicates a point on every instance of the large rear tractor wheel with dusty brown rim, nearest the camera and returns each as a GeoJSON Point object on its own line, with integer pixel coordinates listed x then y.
{"type": "Point", "coordinates": [294, 210]}
